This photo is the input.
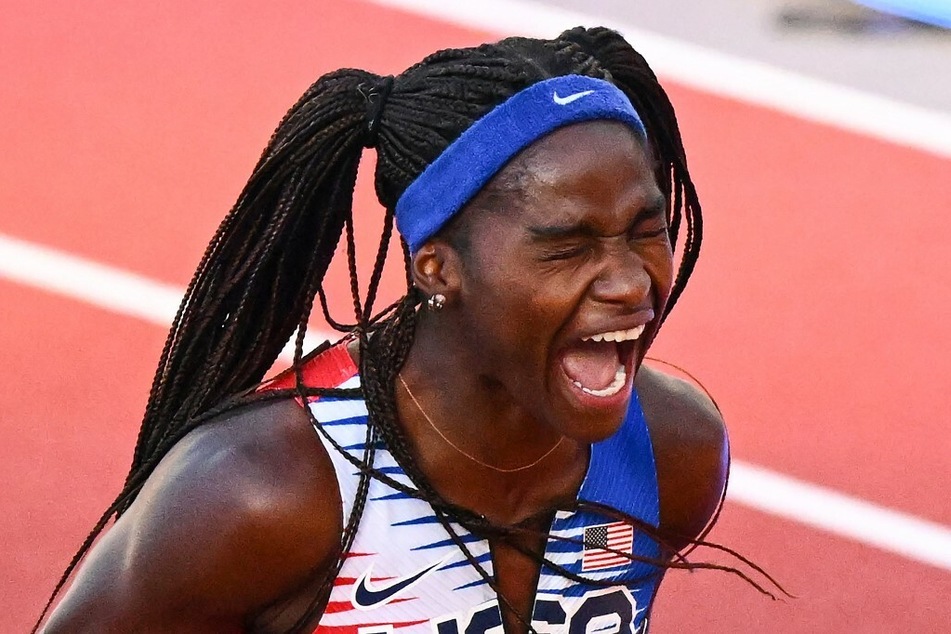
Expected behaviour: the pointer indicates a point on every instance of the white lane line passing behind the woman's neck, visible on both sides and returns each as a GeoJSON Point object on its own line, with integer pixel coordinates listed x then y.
{"type": "Point", "coordinates": [140, 297]}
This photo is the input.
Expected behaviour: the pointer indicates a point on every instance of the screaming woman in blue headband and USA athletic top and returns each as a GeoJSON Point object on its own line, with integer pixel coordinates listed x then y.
{"type": "Point", "coordinates": [489, 451]}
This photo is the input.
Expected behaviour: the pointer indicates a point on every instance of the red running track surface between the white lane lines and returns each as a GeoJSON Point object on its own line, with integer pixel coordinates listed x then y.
{"type": "Point", "coordinates": [817, 315]}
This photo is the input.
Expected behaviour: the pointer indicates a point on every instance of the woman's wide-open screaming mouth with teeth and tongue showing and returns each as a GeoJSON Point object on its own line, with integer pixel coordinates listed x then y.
{"type": "Point", "coordinates": [599, 364]}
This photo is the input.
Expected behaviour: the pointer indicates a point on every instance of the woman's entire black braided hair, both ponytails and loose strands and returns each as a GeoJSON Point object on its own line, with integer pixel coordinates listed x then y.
{"type": "Point", "coordinates": [264, 269]}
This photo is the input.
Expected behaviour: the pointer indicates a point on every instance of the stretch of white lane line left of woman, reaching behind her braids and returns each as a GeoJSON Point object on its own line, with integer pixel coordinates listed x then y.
{"type": "Point", "coordinates": [106, 287]}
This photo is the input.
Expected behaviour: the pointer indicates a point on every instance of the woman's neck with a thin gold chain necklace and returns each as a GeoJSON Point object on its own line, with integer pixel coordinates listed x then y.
{"type": "Point", "coordinates": [478, 417]}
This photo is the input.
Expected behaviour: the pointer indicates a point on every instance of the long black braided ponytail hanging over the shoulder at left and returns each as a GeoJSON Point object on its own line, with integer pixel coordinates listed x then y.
{"type": "Point", "coordinates": [274, 245]}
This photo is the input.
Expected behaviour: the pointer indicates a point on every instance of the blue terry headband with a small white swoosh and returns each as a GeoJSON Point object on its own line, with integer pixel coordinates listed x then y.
{"type": "Point", "coordinates": [481, 151]}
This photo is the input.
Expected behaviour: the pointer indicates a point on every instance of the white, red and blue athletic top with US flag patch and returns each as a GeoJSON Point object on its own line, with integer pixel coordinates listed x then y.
{"type": "Point", "coordinates": [405, 574]}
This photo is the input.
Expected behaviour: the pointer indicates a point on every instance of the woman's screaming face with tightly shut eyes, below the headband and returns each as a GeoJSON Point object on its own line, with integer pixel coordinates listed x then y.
{"type": "Point", "coordinates": [565, 276]}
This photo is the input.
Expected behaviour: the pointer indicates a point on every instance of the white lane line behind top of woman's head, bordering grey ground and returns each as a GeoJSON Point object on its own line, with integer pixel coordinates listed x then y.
{"type": "Point", "coordinates": [714, 72]}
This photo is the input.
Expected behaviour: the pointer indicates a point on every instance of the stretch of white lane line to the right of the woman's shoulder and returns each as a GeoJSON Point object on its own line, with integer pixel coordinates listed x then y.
{"type": "Point", "coordinates": [840, 514]}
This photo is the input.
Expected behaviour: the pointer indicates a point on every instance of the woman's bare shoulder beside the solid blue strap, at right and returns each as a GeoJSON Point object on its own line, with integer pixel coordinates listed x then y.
{"type": "Point", "coordinates": [691, 450]}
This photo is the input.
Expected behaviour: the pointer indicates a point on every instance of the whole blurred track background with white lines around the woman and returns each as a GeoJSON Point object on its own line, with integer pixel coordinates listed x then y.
{"type": "Point", "coordinates": [819, 136]}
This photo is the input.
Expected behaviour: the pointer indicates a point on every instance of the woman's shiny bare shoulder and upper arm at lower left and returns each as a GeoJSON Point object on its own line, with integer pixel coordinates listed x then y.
{"type": "Point", "coordinates": [236, 516]}
